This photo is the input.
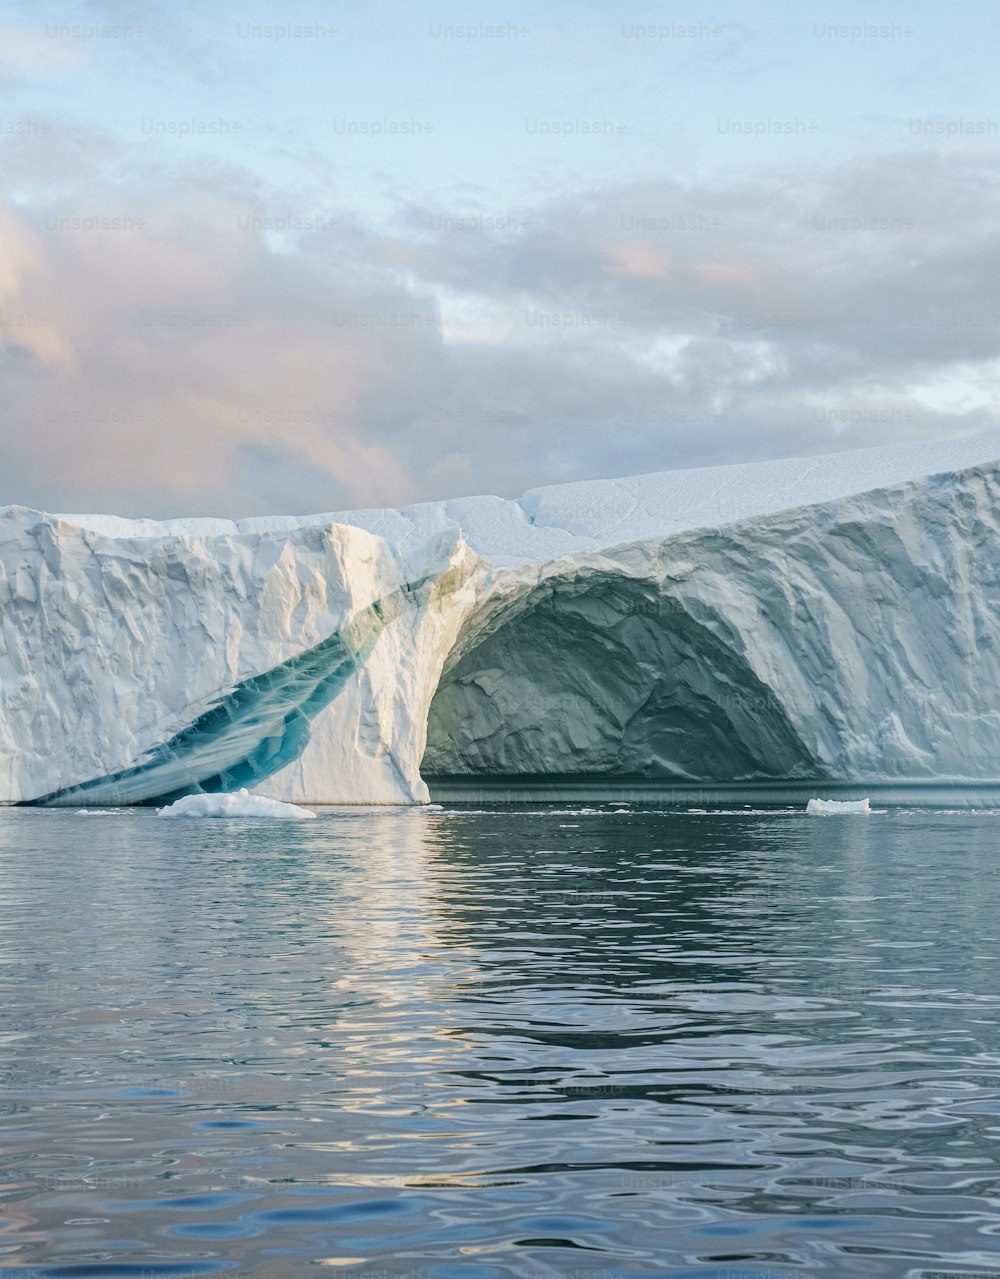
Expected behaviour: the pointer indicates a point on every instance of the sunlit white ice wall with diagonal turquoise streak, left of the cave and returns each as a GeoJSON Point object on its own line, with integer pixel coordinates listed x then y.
{"type": "Point", "coordinates": [300, 661]}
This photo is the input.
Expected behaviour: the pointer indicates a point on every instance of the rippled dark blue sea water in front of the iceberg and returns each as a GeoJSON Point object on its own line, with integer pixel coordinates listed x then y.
{"type": "Point", "coordinates": [524, 1042]}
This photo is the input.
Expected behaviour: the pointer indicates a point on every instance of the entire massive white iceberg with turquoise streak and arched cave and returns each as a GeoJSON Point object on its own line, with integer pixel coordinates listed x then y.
{"type": "Point", "coordinates": [776, 631]}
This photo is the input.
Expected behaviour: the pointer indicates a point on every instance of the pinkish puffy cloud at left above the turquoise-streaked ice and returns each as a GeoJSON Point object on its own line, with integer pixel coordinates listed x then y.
{"type": "Point", "coordinates": [158, 350]}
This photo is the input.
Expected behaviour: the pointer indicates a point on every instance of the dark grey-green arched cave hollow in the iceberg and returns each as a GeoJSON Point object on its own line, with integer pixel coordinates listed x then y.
{"type": "Point", "coordinates": [604, 675]}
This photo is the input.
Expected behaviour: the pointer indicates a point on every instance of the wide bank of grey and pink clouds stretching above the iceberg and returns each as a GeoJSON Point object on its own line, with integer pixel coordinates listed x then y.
{"type": "Point", "coordinates": [187, 347]}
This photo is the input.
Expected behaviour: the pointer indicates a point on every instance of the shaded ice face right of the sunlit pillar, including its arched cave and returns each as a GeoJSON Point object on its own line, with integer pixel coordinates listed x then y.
{"type": "Point", "coordinates": [851, 640]}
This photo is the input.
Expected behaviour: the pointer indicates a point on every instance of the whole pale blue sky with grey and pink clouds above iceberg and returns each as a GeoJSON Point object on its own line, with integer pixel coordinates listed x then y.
{"type": "Point", "coordinates": [260, 259]}
